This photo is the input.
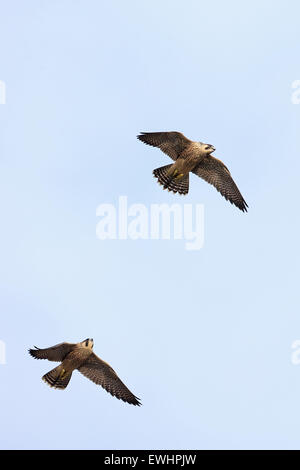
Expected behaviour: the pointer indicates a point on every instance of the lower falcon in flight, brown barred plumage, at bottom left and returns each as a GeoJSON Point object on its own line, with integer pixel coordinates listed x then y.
{"type": "Point", "coordinates": [80, 356]}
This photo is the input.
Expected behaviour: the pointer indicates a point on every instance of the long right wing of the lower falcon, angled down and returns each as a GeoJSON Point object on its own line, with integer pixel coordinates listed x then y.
{"type": "Point", "coordinates": [102, 374]}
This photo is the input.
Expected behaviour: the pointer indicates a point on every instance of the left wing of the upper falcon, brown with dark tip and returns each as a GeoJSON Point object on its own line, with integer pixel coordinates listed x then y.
{"type": "Point", "coordinates": [171, 143]}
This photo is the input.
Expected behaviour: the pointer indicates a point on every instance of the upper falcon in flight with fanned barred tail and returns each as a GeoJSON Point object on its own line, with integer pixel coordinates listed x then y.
{"type": "Point", "coordinates": [191, 156]}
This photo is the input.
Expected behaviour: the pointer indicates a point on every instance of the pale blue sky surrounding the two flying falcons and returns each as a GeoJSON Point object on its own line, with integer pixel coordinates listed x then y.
{"type": "Point", "coordinates": [202, 337]}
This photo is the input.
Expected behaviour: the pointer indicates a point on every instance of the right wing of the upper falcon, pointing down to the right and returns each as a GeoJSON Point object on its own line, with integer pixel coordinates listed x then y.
{"type": "Point", "coordinates": [216, 173]}
